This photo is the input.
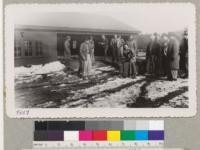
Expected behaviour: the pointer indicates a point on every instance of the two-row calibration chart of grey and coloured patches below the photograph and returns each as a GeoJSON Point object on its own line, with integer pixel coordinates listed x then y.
{"type": "Point", "coordinates": [129, 130]}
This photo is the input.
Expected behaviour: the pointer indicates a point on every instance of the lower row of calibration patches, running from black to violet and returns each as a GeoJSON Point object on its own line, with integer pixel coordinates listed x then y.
{"type": "Point", "coordinates": [98, 135]}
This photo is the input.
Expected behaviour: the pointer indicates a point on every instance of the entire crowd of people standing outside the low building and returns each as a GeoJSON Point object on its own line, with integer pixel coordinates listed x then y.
{"type": "Point", "coordinates": [164, 55]}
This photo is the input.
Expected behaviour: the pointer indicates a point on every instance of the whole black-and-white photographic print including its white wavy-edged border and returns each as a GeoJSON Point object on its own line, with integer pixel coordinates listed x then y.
{"type": "Point", "coordinates": [136, 58]}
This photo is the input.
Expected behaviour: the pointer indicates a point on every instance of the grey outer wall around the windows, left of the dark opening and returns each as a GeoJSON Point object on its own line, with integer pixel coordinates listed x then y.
{"type": "Point", "coordinates": [49, 47]}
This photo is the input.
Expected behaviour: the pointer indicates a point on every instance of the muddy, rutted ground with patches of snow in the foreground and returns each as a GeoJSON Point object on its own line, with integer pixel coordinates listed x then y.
{"type": "Point", "coordinates": [60, 88]}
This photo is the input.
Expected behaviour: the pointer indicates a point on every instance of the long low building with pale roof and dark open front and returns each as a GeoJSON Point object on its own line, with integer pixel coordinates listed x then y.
{"type": "Point", "coordinates": [39, 38]}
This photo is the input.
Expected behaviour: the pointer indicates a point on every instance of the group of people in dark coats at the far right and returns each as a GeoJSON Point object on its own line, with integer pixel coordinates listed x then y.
{"type": "Point", "coordinates": [166, 56]}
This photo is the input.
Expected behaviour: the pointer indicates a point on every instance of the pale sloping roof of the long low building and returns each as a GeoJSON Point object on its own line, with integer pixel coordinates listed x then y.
{"type": "Point", "coordinates": [73, 21]}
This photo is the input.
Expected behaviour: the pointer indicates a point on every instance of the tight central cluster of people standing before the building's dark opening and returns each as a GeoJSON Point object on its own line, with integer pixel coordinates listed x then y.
{"type": "Point", "coordinates": [124, 55]}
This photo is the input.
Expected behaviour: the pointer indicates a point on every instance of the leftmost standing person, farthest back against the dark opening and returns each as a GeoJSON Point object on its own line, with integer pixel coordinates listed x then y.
{"type": "Point", "coordinates": [67, 51]}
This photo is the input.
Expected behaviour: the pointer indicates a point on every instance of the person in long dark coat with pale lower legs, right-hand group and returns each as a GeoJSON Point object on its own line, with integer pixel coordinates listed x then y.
{"type": "Point", "coordinates": [173, 58]}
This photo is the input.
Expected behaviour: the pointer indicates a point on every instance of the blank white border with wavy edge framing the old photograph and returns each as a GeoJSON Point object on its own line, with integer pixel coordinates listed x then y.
{"type": "Point", "coordinates": [9, 97]}
